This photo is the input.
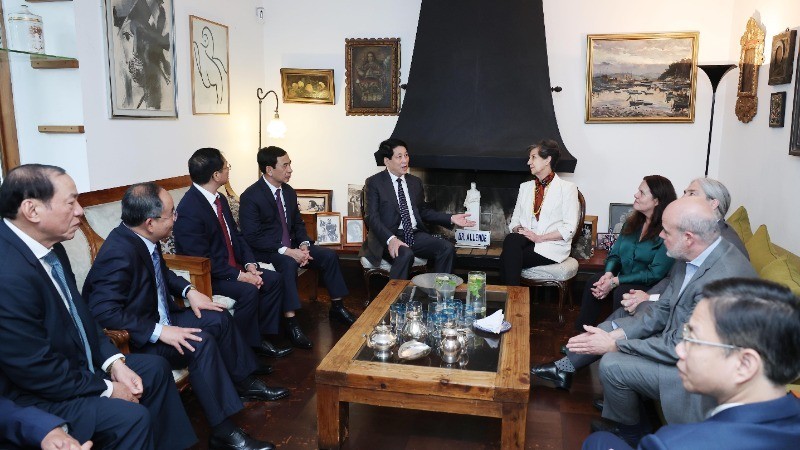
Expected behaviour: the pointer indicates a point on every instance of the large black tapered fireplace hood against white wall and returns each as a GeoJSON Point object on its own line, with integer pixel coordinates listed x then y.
{"type": "Point", "coordinates": [478, 88]}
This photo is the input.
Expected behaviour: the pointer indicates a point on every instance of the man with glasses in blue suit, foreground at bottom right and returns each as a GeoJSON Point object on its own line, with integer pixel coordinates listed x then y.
{"type": "Point", "coordinates": [741, 346]}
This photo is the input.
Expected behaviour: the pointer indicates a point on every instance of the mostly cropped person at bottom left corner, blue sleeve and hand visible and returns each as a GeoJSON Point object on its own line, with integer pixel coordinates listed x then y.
{"type": "Point", "coordinates": [32, 427]}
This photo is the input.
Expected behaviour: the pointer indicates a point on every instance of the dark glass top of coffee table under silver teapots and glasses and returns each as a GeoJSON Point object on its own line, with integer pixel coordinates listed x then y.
{"type": "Point", "coordinates": [482, 349]}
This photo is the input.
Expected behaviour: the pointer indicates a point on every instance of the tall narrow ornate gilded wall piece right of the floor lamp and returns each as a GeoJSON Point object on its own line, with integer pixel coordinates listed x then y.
{"type": "Point", "coordinates": [750, 60]}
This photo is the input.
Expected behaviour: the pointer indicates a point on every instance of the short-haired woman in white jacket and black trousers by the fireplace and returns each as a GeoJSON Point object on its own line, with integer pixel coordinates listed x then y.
{"type": "Point", "coordinates": [545, 217]}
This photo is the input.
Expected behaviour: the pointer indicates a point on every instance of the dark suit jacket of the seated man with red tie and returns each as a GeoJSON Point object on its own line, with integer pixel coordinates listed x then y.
{"type": "Point", "coordinates": [198, 233]}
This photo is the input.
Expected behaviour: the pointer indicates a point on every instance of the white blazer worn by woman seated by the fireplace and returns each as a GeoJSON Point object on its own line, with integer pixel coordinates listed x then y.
{"type": "Point", "coordinates": [560, 211]}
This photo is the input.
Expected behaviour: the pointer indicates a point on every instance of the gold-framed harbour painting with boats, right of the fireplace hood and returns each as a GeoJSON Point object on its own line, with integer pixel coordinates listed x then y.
{"type": "Point", "coordinates": [648, 77]}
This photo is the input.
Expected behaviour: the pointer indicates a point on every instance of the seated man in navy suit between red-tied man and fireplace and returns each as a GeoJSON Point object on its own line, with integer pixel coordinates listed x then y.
{"type": "Point", "coordinates": [272, 226]}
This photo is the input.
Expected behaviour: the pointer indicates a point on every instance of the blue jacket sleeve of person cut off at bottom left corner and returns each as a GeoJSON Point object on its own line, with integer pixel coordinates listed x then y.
{"type": "Point", "coordinates": [24, 427]}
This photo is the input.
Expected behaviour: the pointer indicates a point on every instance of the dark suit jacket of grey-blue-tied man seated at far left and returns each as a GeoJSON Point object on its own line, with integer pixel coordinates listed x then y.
{"type": "Point", "coordinates": [42, 357]}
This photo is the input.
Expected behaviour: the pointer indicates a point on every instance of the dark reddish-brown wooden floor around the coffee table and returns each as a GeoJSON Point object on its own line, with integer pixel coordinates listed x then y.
{"type": "Point", "coordinates": [556, 419]}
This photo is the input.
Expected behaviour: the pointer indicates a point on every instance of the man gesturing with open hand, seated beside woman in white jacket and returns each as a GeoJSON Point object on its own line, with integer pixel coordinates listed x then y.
{"type": "Point", "coordinates": [395, 214]}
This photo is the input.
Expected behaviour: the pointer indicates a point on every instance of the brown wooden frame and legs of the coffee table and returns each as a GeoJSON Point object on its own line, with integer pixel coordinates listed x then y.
{"type": "Point", "coordinates": [343, 378]}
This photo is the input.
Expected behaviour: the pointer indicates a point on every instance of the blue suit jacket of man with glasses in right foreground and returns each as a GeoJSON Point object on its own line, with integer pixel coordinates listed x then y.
{"type": "Point", "coordinates": [767, 425]}
